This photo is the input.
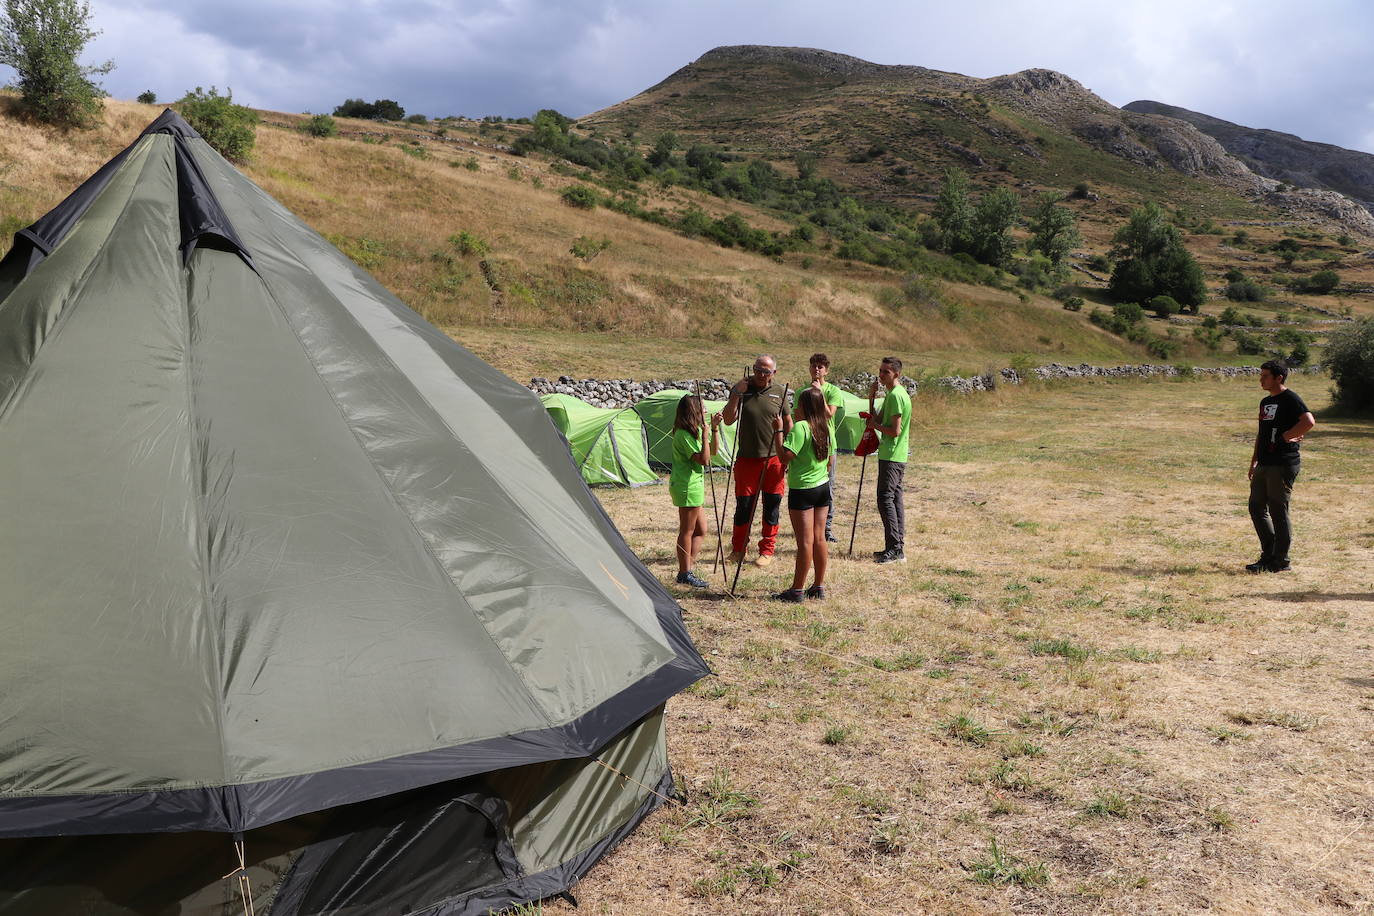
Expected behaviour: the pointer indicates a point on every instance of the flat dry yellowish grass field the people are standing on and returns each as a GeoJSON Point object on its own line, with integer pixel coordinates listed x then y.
{"type": "Point", "coordinates": [1071, 700]}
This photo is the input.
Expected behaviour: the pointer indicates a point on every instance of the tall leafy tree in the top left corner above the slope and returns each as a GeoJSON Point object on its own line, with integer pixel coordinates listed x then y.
{"type": "Point", "coordinates": [43, 41]}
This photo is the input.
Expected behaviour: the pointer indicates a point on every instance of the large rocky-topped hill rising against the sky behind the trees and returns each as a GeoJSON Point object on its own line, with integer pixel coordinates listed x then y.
{"type": "Point", "coordinates": [894, 130]}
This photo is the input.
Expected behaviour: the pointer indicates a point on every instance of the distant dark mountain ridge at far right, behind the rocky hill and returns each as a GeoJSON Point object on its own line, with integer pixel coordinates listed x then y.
{"type": "Point", "coordinates": [1283, 156]}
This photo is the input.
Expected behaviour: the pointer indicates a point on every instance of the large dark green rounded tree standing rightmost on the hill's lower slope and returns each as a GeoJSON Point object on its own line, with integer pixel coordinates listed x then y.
{"type": "Point", "coordinates": [1151, 260]}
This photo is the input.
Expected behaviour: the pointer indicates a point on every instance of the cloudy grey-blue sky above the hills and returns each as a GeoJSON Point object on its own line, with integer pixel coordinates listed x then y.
{"type": "Point", "coordinates": [1291, 67]}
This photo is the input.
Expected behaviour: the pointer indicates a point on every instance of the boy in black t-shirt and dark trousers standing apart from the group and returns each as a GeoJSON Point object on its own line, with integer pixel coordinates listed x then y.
{"type": "Point", "coordinates": [1274, 465]}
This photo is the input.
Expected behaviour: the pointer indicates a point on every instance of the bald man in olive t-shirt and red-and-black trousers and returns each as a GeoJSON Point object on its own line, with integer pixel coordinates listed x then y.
{"type": "Point", "coordinates": [755, 402]}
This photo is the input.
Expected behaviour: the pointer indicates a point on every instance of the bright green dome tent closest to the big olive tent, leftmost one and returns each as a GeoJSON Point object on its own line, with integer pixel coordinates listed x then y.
{"type": "Point", "coordinates": [609, 446]}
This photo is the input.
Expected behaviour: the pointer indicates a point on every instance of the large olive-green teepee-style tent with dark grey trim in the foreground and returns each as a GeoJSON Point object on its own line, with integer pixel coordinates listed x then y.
{"type": "Point", "coordinates": [293, 588]}
